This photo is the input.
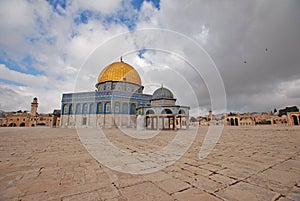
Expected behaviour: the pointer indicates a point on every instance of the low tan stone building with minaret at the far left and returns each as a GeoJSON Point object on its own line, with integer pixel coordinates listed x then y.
{"type": "Point", "coordinates": [32, 119]}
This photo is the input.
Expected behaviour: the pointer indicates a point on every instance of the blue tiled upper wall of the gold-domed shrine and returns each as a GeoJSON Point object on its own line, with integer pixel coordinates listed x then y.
{"type": "Point", "coordinates": [110, 102]}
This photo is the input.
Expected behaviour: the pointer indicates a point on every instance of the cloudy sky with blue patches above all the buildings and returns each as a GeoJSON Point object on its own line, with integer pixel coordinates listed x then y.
{"type": "Point", "coordinates": [250, 49]}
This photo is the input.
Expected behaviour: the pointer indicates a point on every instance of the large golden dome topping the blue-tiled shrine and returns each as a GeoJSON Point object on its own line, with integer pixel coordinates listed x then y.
{"type": "Point", "coordinates": [119, 71]}
